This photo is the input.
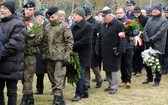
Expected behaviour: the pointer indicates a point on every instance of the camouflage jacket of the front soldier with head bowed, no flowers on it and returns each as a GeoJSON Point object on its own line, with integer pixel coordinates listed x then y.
{"type": "Point", "coordinates": [59, 41]}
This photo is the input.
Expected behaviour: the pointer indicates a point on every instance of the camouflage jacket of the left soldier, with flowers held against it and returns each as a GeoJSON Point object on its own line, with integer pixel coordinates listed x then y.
{"type": "Point", "coordinates": [33, 36]}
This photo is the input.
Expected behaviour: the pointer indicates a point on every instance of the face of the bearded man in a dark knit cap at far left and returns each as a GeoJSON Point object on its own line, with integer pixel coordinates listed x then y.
{"type": "Point", "coordinates": [4, 12]}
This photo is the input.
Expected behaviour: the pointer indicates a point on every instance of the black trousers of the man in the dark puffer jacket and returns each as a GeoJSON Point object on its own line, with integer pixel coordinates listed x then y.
{"type": "Point", "coordinates": [11, 91]}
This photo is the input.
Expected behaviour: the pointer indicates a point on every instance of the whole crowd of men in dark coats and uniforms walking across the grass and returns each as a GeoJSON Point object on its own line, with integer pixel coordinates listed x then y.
{"type": "Point", "coordinates": [39, 41]}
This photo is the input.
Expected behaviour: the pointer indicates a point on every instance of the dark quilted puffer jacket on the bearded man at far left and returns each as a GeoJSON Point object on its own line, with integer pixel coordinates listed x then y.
{"type": "Point", "coordinates": [12, 59]}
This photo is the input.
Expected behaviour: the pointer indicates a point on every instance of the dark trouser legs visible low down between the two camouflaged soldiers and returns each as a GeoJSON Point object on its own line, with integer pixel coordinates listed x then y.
{"type": "Point", "coordinates": [40, 82]}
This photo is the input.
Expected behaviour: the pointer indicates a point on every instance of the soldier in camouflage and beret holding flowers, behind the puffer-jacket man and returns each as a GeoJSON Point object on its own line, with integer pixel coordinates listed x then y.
{"type": "Point", "coordinates": [33, 39]}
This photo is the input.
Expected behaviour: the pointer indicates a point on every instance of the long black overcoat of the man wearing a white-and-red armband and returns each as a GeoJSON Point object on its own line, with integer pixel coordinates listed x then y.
{"type": "Point", "coordinates": [110, 41]}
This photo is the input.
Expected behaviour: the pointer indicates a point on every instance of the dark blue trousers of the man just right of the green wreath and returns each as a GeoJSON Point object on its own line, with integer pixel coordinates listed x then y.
{"type": "Point", "coordinates": [81, 87]}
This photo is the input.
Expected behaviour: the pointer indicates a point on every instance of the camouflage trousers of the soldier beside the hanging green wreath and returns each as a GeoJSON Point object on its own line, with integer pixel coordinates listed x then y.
{"type": "Point", "coordinates": [56, 74]}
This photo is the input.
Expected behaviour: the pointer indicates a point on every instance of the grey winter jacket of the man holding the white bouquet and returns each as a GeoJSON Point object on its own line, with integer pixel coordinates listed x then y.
{"type": "Point", "coordinates": [155, 33]}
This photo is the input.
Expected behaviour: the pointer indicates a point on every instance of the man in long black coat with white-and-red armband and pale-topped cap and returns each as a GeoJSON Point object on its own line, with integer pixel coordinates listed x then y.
{"type": "Point", "coordinates": [110, 41]}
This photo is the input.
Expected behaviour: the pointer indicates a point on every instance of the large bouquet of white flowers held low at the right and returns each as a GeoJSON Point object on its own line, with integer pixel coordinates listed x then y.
{"type": "Point", "coordinates": [151, 59]}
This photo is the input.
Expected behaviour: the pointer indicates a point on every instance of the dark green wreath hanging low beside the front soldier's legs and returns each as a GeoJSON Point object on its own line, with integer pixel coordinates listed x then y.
{"type": "Point", "coordinates": [73, 69]}
